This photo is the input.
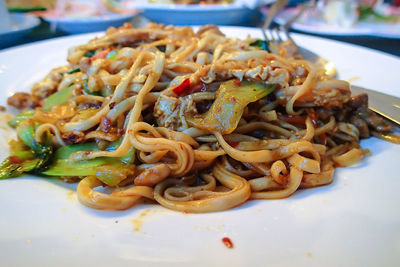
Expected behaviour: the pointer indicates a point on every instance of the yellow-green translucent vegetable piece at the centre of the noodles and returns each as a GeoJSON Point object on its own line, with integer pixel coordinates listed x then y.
{"type": "Point", "coordinates": [231, 99]}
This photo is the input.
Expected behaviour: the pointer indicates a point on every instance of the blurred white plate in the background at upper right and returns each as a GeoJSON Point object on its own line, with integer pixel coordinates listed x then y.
{"type": "Point", "coordinates": [316, 25]}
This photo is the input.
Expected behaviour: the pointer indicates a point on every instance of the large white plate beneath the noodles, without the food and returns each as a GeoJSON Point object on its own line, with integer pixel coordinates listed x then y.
{"type": "Point", "coordinates": [355, 221]}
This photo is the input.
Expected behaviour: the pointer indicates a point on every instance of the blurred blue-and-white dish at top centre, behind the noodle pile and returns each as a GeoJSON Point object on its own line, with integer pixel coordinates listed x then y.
{"type": "Point", "coordinates": [236, 13]}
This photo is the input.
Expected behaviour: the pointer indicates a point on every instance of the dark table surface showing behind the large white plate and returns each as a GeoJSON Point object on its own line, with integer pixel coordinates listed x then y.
{"type": "Point", "coordinates": [391, 46]}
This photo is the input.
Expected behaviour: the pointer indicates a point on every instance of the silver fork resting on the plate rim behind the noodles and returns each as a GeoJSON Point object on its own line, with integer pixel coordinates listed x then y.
{"type": "Point", "coordinates": [280, 33]}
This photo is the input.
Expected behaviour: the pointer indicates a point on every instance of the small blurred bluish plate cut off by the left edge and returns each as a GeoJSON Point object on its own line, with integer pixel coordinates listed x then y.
{"type": "Point", "coordinates": [21, 25]}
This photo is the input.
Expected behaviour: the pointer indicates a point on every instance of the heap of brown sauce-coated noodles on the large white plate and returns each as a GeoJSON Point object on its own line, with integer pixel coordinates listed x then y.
{"type": "Point", "coordinates": [282, 142]}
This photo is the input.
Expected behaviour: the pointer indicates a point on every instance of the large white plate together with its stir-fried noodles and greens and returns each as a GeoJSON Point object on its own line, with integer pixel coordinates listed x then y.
{"type": "Point", "coordinates": [143, 146]}
